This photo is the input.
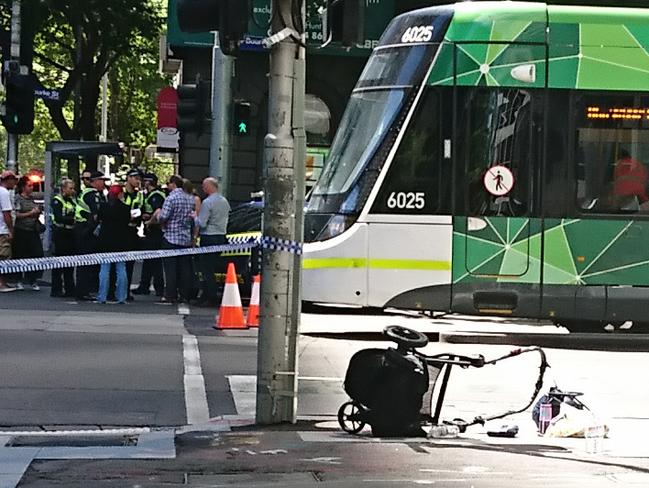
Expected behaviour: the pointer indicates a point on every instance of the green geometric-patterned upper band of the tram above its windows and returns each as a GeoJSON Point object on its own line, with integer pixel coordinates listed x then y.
{"type": "Point", "coordinates": [587, 47]}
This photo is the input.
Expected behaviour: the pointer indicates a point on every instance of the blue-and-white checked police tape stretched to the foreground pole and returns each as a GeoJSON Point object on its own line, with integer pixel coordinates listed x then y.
{"type": "Point", "coordinates": [57, 262]}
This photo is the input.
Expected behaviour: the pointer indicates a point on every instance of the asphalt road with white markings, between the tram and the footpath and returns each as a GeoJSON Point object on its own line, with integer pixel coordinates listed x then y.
{"type": "Point", "coordinates": [77, 364]}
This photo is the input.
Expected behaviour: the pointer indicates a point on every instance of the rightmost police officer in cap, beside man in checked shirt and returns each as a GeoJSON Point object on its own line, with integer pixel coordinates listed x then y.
{"type": "Point", "coordinates": [151, 268]}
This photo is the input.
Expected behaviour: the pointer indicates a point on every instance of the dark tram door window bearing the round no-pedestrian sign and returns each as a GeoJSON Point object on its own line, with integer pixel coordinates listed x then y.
{"type": "Point", "coordinates": [497, 131]}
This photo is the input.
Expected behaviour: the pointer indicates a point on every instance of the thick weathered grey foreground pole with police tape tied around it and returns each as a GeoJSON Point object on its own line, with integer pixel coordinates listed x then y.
{"type": "Point", "coordinates": [277, 368]}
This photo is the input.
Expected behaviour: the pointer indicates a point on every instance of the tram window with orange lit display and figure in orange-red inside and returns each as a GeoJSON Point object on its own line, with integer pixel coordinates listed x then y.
{"type": "Point", "coordinates": [612, 153]}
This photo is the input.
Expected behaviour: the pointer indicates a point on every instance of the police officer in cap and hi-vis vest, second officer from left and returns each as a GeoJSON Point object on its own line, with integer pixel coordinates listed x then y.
{"type": "Point", "coordinates": [86, 222]}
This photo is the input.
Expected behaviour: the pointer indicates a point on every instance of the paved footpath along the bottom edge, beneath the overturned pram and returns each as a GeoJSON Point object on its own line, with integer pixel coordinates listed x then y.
{"type": "Point", "coordinates": [232, 451]}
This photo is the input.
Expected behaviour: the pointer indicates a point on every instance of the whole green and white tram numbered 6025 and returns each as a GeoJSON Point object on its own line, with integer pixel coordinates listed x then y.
{"type": "Point", "coordinates": [492, 160]}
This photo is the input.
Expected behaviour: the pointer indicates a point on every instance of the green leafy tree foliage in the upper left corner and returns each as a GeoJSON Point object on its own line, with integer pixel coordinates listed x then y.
{"type": "Point", "coordinates": [75, 43]}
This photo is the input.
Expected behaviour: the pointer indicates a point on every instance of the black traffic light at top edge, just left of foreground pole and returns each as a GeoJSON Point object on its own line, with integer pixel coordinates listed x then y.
{"type": "Point", "coordinates": [228, 17]}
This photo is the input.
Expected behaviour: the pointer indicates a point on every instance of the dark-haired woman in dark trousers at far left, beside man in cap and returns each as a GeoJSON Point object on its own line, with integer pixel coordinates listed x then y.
{"type": "Point", "coordinates": [27, 238]}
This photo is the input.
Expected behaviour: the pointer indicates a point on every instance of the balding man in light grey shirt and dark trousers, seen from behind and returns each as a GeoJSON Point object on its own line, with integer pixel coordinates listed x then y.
{"type": "Point", "coordinates": [213, 224]}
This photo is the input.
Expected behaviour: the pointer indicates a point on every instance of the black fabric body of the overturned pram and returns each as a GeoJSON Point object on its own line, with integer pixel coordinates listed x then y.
{"type": "Point", "coordinates": [391, 386]}
